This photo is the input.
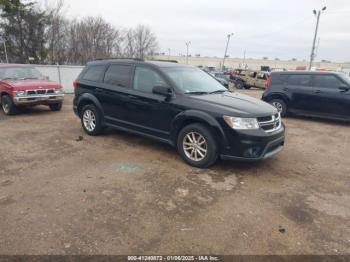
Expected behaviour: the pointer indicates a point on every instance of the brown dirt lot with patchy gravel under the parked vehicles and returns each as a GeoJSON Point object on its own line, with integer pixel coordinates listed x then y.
{"type": "Point", "coordinates": [122, 194]}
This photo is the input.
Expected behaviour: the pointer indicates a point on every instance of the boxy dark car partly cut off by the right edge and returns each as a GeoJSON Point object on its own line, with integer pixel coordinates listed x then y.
{"type": "Point", "coordinates": [319, 94]}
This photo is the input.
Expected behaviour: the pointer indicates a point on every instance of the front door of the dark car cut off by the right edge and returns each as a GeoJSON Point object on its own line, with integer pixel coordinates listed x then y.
{"type": "Point", "coordinates": [329, 99]}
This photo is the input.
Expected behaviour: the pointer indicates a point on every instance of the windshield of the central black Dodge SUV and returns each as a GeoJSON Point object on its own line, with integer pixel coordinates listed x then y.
{"type": "Point", "coordinates": [193, 80]}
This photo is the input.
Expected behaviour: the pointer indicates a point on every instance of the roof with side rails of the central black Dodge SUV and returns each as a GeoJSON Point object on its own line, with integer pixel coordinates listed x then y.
{"type": "Point", "coordinates": [161, 64]}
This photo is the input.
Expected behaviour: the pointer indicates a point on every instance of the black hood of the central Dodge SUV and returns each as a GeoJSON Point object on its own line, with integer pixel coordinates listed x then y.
{"type": "Point", "coordinates": [237, 104]}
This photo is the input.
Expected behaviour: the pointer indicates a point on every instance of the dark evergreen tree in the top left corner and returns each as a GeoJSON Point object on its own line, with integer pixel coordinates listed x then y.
{"type": "Point", "coordinates": [23, 28]}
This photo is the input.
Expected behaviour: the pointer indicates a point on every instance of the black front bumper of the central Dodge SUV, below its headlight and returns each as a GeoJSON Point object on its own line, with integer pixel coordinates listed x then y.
{"type": "Point", "coordinates": [253, 145]}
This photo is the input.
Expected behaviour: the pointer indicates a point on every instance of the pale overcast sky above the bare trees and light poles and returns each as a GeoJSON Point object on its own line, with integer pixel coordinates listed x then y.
{"type": "Point", "coordinates": [272, 28]}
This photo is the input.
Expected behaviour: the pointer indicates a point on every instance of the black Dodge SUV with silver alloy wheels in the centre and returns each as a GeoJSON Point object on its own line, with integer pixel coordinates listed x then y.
{"type": "Point", "coordinates": [180, 105]}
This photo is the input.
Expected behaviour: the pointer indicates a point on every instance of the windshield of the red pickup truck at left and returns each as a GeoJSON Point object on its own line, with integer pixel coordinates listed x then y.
{"type": "Point", "coordinates": [20, 73]}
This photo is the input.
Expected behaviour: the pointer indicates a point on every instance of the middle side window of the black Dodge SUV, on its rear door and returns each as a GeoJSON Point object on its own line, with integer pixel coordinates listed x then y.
{"type": "Point", "coordinates": [118, 75]}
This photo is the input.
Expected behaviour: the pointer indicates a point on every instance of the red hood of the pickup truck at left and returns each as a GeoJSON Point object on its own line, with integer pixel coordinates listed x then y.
{"type": "Point", "coordinates": [31, 84]}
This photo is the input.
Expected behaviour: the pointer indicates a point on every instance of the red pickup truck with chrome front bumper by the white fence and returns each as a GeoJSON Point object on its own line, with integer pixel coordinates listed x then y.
{"type": "Point", "coordinates": [25, 86]}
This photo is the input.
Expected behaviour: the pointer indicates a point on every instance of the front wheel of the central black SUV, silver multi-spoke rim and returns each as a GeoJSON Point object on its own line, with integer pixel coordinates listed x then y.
{"type": "Point", "coordinates": [197, 146]}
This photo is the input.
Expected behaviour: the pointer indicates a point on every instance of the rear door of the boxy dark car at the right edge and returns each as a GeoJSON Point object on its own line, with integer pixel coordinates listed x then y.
{"type": "Point", "coordinates": [301, 92]}
